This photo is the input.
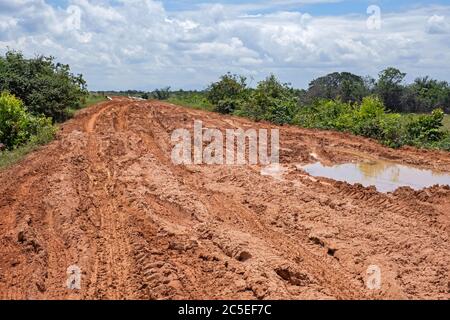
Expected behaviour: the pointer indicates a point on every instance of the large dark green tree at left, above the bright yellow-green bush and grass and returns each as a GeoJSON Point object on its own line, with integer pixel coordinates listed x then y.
{"type": "Point", "coordinates": [44, 86]}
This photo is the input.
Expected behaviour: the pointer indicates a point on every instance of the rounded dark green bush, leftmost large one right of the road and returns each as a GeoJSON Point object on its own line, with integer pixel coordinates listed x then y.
{"type": "Point", "coordinates": [225, 94]}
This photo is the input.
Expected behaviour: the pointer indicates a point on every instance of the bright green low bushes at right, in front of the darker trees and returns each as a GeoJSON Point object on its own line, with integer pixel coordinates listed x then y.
{"type": "Point", "coordinates": [369, 119]}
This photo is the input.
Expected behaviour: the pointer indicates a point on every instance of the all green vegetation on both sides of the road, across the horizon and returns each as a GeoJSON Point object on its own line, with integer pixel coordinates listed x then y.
{"type": "Point", "coordinates": [38, 93]}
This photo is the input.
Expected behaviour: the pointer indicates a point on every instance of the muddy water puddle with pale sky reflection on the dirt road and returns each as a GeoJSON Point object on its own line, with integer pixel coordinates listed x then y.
{"type": "Point", "coordinates": [385, 176]}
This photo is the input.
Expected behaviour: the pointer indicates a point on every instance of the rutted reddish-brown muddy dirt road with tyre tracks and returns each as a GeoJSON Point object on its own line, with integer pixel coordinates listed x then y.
{"type": "Point", "coordinates": [106, 197]}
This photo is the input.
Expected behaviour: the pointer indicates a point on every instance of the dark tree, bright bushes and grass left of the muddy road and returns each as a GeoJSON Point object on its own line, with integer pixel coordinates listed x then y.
{"type": "Point", "coordinates": [35, 94]}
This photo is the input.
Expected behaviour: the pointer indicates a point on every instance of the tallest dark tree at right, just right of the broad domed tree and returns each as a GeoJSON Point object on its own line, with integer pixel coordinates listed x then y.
{"type": "Point", "coordinates": [390, 88]}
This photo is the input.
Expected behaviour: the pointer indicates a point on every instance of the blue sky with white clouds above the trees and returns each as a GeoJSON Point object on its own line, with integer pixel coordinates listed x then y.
{"type": "Point", "coordinates": [145, 44]}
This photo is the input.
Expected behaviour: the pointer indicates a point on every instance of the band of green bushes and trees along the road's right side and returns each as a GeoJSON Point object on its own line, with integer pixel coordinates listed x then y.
{"type": "Point", "coordinates": [386, 109]}
